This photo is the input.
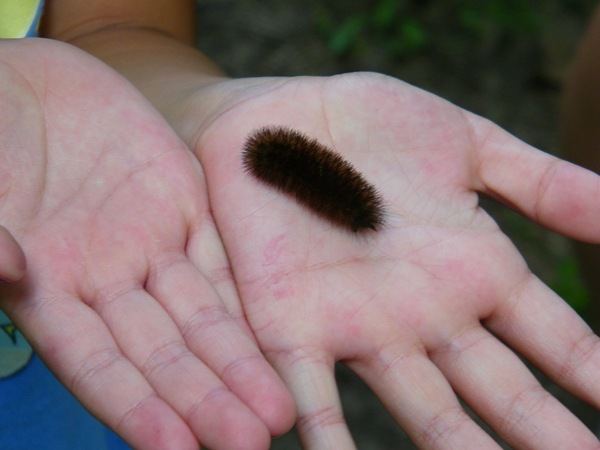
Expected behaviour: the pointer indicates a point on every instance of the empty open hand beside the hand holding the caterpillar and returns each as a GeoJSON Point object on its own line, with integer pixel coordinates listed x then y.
{"type": "Point", "coordinates": [128, 296]}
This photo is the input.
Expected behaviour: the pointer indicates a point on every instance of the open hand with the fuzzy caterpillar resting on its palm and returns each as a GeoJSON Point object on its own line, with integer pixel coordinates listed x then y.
{"type": "Point", "coordinates": [437, 303]}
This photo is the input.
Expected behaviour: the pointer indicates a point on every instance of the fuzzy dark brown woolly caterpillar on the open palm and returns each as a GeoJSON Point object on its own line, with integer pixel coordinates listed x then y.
{"type": "Point", "coordinates": [316, 176]}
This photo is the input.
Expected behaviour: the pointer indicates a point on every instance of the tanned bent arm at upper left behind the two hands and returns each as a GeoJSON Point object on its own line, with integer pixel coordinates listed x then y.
{"type": "Point", "coordinates": [150, 43]}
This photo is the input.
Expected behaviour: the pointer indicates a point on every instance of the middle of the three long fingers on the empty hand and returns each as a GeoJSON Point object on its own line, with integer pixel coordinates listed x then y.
{"type": "Point", "coordinates": [149, 338]}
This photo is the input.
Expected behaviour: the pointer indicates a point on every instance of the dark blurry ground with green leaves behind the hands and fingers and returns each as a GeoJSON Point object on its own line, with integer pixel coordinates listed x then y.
{"type": "Point", "coordinates": [505, 60]}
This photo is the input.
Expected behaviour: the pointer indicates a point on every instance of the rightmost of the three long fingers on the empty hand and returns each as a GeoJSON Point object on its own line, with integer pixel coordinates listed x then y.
{"type": "Point", "coordinates": [217, 339]}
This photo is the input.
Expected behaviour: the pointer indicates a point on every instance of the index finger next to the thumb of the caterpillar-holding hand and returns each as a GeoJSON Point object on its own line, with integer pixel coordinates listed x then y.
{"type": "Point", "coordinates": [544, 329]}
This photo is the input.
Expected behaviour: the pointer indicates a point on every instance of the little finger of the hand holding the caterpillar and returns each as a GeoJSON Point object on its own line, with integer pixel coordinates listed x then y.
{"type": "Point", "coordinates": [311, 379]}
